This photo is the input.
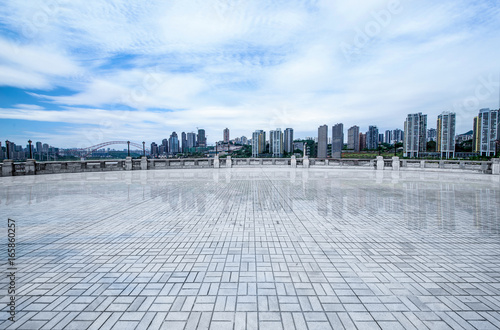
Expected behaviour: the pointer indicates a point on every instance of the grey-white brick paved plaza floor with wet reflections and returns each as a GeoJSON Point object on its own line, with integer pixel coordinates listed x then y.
{"type": "Point", "coordinates": [254, 248]}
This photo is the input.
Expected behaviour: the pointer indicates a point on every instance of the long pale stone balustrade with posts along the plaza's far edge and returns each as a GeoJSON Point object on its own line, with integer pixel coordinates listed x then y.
{"type": "Point", "coordinates": [31, 167]}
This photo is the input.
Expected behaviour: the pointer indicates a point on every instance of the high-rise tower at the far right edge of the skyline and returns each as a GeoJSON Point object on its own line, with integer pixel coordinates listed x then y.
{"type": "Point", "coordinates": [486, 132]}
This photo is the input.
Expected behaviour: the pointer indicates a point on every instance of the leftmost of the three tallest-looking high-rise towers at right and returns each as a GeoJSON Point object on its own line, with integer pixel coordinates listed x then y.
{"type": "Point", "coordinates": [415, 135]}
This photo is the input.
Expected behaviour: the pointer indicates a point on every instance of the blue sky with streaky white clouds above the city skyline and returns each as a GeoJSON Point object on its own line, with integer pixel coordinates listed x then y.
{"type": "Point", "coordinates": [76, 73]}
